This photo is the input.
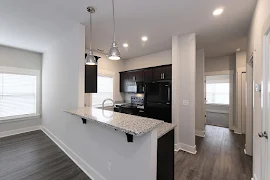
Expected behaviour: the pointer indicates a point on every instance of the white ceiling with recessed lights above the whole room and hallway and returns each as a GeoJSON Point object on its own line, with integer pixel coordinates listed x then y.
{"type": "Point", "coordinates": [35, 24]}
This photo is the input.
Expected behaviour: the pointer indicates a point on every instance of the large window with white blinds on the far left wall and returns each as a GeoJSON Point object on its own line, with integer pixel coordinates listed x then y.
{"type": "Point", "coordinates": [18, 93]}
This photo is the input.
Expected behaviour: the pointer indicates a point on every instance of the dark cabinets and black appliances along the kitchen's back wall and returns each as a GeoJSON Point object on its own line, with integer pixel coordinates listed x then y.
{"type": "Point", "coordinates": [149, 91]}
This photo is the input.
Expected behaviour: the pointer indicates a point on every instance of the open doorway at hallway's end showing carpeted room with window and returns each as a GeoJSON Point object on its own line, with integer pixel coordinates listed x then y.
{"type": "Point", "coordinates": [220, 88]}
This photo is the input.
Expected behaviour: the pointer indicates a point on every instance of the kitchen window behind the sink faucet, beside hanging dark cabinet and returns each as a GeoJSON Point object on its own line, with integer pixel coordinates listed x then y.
{"type": "Point", "coordinates": [104, 90]}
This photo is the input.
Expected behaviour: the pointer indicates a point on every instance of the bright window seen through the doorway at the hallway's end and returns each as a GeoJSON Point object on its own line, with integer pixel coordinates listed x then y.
{"type": "Point", "coordinates": [218, 93]}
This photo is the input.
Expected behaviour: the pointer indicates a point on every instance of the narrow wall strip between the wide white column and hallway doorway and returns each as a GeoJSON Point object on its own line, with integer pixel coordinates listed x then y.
{"type": "Point", "coordinates": [200, 102]}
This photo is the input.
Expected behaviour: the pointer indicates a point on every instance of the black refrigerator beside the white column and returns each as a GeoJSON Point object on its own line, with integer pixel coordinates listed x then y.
{"type": "Point", "coordinates": [157, 101]}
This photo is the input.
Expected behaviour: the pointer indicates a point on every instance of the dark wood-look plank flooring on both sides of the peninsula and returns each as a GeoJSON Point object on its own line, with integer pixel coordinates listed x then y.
{"type": "Point", "coordinates": [33, 156]}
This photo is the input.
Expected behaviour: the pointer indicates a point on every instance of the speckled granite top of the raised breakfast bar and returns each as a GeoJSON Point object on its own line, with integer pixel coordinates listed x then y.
{"type": "Point", "coordinates": [130, 124]}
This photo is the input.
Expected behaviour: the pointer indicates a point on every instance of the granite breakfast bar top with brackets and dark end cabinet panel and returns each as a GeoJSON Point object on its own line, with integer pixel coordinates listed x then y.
{"type": "Point", "coordinates": [136, 126]}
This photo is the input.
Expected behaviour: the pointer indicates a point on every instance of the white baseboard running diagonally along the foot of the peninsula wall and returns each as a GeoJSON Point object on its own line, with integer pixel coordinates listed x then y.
{"type": "Point", "coordinates": [86, 168]}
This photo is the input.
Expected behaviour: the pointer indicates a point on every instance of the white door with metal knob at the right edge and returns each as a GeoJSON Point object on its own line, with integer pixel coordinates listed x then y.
{"type": "Point", "coordinates": [266, 111]}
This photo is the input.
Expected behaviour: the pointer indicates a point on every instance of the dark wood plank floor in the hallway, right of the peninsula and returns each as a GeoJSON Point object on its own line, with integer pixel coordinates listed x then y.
{"type": "Point", "coordinates": [220, 156]}
